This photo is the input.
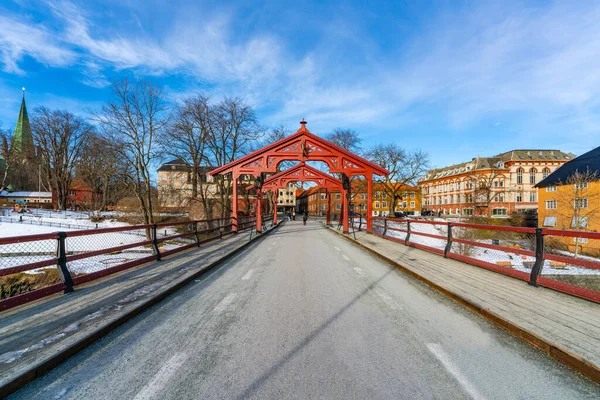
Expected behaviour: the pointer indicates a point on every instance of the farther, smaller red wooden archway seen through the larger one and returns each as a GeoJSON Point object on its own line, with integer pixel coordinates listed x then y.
{"type": "Point", "coordinates": [301, 173]}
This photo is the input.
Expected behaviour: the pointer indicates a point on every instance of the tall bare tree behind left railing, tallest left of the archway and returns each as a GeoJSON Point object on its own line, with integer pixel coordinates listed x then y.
{"type": "Point", "coordinates": [132, 120]}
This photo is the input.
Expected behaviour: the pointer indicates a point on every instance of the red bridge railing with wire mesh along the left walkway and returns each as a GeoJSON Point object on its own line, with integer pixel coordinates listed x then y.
{"type": "Point", "coordinates": [35, 266]}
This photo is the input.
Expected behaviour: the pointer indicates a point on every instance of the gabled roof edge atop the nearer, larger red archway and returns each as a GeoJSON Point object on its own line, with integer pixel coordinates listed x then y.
{"type": "Point", "coordinates": [303, 131]}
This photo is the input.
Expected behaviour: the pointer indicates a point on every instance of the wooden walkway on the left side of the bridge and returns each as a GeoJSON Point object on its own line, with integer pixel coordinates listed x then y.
{"type": "Point", "coordinates": [38, 336]}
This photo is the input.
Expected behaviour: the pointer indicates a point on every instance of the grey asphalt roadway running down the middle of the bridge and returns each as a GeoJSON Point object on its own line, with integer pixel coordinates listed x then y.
{"type": "Point", "coordinates": [304, 314]}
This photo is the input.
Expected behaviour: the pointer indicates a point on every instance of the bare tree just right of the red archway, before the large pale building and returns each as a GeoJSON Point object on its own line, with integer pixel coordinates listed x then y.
{"type": "Point", "coordinates": [405, 168]}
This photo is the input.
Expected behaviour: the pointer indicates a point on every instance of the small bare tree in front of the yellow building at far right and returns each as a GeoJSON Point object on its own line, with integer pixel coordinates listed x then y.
{"type": "Point", "coordinates": [577, 202]}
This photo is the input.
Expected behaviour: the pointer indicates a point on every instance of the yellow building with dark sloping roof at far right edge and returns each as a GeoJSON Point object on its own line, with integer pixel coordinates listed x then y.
{"type": "Point", "coordinates": [569, 199]}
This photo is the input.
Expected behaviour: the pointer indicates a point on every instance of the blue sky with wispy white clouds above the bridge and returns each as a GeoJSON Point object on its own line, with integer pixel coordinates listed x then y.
{"type": "Point", "coordinates": [456, 78]}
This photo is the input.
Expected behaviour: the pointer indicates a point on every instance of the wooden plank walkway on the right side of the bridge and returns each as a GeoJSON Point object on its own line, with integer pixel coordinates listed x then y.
{"type": "Point", "coordinates": [566, 327]}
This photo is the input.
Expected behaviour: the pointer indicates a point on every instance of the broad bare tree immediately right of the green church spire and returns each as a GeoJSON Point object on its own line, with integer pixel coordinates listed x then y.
{"type": "Point", "coordinates": [60, 136]}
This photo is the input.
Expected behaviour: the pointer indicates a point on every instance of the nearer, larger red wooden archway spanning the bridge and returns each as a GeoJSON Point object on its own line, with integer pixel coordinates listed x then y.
{"type": "Point", "coordinates": [302, 146]}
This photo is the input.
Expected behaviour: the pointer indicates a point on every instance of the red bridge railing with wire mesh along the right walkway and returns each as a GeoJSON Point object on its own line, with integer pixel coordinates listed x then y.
{"type": "Point", "coordinates": [563, 260]}
